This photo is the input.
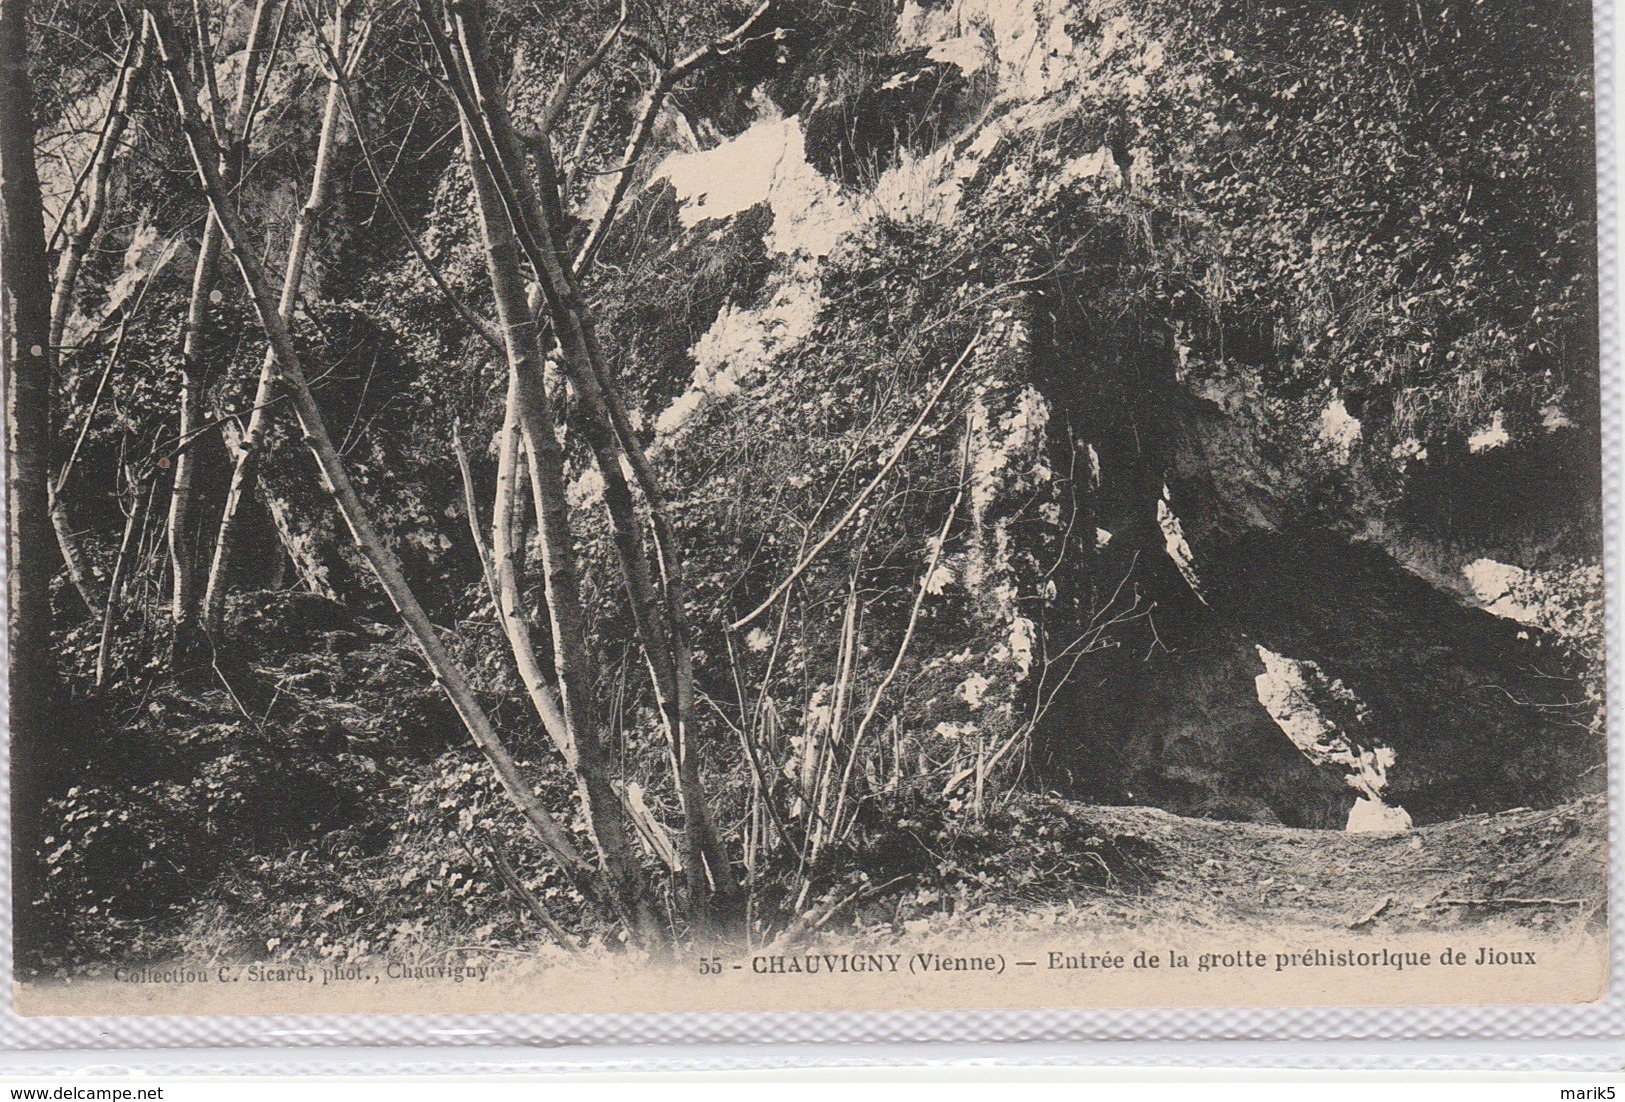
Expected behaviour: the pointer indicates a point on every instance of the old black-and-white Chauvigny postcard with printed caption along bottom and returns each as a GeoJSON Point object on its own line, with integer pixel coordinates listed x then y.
{"type": "Point", "coordinates": [786, 505]}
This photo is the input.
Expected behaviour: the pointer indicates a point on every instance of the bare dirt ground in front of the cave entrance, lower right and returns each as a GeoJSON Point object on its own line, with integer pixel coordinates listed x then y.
{"type": "Point", "coordinates": [1543, 870]}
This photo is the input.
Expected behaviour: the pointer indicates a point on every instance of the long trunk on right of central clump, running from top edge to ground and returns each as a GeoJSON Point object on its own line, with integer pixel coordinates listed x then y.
{"type": "Point", "coordinates": [661, 627]}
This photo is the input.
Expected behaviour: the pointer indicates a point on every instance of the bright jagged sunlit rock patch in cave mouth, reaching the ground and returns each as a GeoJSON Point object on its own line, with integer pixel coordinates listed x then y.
{"type": "Point", "coordinates": [1286, 688]}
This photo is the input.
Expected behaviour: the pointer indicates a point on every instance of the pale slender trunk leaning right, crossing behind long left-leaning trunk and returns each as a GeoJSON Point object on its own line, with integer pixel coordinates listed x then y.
{"type": "Point", "coordinates": [248, 454]}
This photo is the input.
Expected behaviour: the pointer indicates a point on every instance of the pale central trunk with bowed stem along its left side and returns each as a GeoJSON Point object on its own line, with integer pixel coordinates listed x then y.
{"type": "Point", "coordinates": [571, 718]}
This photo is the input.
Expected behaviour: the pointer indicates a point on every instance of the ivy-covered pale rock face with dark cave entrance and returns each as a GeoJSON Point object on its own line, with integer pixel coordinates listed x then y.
{"type": "Point", "coordinates": [1203, 555]}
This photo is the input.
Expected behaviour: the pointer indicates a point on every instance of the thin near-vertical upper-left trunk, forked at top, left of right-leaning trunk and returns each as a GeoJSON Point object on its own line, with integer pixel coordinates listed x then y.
{"type": "Point", "coordinates": [186, 602]}
